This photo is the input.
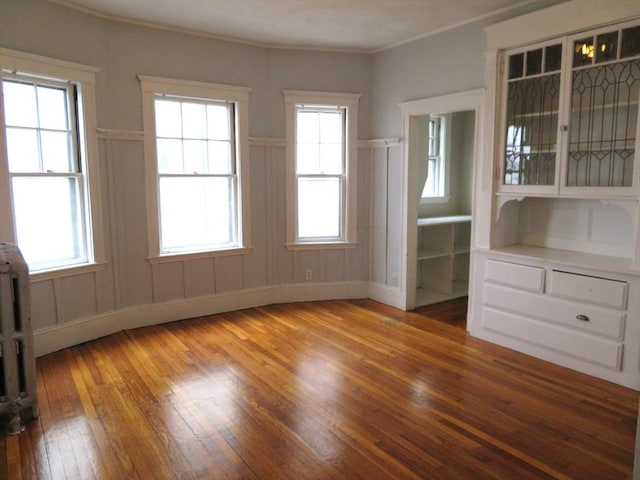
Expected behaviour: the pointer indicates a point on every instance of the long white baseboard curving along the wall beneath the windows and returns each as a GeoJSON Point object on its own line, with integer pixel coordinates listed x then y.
{"type": "Point", "coordinates": [51, 339]}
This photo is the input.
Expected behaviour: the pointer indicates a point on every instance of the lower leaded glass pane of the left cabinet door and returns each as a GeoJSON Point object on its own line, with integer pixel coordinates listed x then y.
{"type": "Point", "coordinates": [532, 128]}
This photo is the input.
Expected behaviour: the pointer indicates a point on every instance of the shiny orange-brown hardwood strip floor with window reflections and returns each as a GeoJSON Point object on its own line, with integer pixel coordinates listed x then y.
{"type": "Point", "coordinates": [322, 390]}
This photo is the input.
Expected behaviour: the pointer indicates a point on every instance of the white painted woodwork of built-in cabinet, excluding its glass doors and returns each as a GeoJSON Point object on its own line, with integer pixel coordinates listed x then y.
{"type": "Point", "coordinates": [559, 276]}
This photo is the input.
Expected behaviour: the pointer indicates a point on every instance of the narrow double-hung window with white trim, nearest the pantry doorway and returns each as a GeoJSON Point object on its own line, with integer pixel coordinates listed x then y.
{"type": "Point", "coordinates": [321, 166]}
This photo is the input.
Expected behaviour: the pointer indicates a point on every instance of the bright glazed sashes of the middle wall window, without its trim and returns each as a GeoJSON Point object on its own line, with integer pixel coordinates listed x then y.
{"type": "Point", "coordinates": [190, 180]}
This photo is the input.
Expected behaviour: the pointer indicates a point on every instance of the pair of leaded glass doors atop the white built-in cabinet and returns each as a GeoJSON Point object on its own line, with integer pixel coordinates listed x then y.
{"type": "Point", "coordinates": [581, 120]}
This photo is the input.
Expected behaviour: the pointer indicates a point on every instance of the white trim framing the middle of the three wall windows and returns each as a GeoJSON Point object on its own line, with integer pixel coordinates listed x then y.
{"type": "Point", "coordinates": [151, 86]}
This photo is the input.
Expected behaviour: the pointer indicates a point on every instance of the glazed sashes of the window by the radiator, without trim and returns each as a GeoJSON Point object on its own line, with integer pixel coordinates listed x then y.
{"type": "Point", "coordinates": [48, 191]}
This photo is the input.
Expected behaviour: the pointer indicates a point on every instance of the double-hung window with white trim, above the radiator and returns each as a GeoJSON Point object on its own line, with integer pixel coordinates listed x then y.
{"type": "Point", "coordinates": [50, 169]}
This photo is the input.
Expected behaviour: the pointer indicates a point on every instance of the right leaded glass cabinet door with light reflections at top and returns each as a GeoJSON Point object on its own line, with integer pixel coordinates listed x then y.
{"type": "Point", "coordinates": [603, 114]}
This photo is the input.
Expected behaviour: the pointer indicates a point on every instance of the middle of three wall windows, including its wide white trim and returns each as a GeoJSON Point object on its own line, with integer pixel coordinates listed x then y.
{"type": "Point", "coordinates": [196, 148]}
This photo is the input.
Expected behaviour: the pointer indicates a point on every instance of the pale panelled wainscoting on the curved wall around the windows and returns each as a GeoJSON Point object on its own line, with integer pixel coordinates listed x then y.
{"type": "Point", "coordinates": [131, 291]}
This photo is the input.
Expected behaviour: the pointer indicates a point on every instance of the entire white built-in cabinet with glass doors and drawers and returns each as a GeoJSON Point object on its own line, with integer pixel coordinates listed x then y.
{"type": "Point", "coordinates": [556, 263]}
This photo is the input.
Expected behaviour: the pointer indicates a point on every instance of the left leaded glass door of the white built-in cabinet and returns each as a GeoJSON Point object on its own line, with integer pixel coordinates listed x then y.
{"type": "Point", "coordinates": [532, 112]}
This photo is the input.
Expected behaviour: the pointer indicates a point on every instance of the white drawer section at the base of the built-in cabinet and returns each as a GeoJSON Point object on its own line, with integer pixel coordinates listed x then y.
{"type": "Point", "coordinates": [595, 339]}
